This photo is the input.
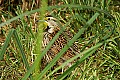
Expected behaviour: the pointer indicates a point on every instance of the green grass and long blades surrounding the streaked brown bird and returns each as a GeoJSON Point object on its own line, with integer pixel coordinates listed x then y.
{"type": "Point", "coordinates": [96, 28]}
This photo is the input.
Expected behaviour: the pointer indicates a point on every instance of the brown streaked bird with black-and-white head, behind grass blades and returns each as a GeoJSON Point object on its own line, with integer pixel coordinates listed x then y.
{"type": "Point", "coordinates": [50, 31]}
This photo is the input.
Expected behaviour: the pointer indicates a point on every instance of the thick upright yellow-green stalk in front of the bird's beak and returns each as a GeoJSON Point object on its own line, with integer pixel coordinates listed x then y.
{"type": "Point", "coordinates": [39, 36]}
